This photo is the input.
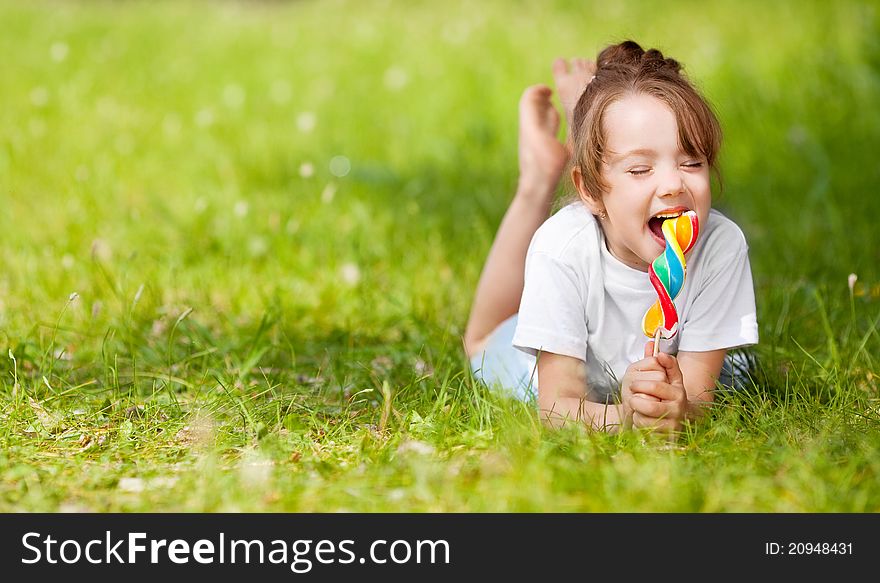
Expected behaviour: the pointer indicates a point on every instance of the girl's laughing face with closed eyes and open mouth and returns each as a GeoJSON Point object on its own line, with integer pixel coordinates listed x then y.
{"type": "Point", "coordinates": [648, 175]}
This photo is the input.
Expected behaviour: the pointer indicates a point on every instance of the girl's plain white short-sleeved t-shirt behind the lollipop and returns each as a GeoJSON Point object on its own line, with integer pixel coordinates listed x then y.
{"type": "Point", "coordinates": [581, 301]}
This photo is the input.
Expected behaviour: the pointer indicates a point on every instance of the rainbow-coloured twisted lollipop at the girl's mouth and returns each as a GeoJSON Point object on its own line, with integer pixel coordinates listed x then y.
{"type": "Point", "coordinates": [667, 274]}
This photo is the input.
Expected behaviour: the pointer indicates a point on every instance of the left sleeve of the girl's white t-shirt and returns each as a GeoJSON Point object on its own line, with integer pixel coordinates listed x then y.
{"type": "Point", "coordinates": [551, 314]}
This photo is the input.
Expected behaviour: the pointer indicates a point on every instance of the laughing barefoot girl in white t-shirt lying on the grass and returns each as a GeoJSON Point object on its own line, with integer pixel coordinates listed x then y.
{"type": "Point", "coordinates": [558, 309]}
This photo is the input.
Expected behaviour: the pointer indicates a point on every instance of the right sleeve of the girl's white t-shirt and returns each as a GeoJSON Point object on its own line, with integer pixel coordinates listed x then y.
{"type": "Point", "coordinates": [722, 314]}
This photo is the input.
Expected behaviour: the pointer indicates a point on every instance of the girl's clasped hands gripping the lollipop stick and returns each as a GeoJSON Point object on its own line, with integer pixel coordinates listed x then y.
{"type": "Point", "coordinates": [660, 404]}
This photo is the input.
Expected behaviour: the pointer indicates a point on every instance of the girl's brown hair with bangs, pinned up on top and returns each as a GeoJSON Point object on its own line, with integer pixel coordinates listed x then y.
{"type": "Point", "coordinates": [625, 69]}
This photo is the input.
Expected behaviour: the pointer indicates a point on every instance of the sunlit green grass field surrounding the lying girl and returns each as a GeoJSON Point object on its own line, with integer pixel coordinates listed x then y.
{"type": "Point", "coordinates": [273, 215]}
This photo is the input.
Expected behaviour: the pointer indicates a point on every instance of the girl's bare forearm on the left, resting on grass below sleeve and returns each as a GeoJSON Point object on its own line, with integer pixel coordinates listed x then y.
{"type": "Point", "coordinates": [562, 395]}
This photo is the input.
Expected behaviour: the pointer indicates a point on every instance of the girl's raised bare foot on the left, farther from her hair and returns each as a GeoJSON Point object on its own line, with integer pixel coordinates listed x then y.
{"type": "Point", "coordinates": [542, 158]}
